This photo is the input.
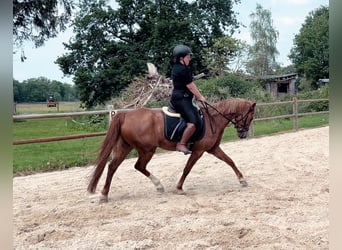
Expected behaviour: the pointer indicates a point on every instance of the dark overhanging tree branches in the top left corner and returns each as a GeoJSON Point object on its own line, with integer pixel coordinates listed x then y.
{"type": "Point", "coordinates": [39, 20]}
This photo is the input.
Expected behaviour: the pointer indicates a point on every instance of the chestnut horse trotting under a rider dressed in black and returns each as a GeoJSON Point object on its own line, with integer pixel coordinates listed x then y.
{"type": "Point", "coordinates": [143, 130]}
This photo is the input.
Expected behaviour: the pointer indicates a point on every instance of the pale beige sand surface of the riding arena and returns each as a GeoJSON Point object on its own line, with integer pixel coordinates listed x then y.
{"type": "Point", "coordinates": [285, 205]}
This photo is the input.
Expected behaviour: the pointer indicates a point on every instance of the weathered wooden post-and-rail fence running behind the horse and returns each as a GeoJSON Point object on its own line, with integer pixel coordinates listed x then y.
{"type": "Point", "coordinates": [110, 112]}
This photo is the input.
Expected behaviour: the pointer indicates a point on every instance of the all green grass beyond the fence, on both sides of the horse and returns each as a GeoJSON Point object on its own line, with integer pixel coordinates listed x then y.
{"type": "Point", "coordinates": [48, 156]}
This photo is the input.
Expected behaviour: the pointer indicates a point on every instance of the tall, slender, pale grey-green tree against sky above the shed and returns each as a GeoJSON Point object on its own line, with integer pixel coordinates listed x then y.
{"type": "Point", "coordinates": [263, 51]}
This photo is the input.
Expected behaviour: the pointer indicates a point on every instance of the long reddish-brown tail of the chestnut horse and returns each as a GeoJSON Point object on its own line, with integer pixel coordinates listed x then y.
{"type": "Point", "coordinates": [106, 148]}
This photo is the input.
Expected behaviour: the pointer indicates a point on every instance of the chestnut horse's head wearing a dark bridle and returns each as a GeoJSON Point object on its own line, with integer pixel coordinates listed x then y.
{"type": "Point", "coordinates": [243, 119]}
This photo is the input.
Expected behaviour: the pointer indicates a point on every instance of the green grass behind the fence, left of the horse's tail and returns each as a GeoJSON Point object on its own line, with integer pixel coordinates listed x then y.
{"type": "Point", "coordinates": [55, 155]}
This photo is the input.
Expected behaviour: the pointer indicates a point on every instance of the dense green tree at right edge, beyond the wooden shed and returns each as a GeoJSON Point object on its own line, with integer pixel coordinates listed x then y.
{"type": "Point", "coordinates": [310, 51]}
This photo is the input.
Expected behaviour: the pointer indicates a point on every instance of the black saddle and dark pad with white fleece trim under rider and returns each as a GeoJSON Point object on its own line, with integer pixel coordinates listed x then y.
{"type": "Point", "coordinates": [175, 126]}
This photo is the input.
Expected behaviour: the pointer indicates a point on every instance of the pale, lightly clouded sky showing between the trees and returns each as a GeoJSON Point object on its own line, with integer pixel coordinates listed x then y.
{"type": "Point", "coordinates": [288, 16]}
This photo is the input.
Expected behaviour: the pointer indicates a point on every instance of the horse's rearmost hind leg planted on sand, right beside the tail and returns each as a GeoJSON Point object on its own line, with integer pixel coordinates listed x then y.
{"type": "Point", "coordinates": [118, 156]}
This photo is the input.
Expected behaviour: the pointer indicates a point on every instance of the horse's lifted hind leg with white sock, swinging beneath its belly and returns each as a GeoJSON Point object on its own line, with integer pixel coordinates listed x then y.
{"type": "Point", "coordinates": [140, 165]}
